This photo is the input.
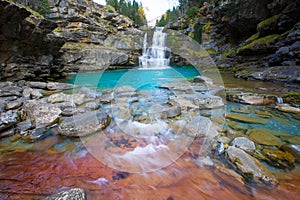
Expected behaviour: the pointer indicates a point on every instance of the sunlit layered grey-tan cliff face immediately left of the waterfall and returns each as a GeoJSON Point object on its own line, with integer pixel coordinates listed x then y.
{"type": "Point", "coordinates": [96, 37]}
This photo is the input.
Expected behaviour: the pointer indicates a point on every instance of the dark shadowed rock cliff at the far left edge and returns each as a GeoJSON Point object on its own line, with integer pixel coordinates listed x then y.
{"type": "Point", "coordinates": [27, 47]}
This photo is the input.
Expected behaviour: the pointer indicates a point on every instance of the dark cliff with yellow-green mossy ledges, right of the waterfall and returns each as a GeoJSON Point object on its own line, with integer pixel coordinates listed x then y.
{"type": "Point", "coordinates": [255, 39]}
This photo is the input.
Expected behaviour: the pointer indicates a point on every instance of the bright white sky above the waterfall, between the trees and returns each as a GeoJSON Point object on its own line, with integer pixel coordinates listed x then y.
{"type": "Point", "coordinates": [153, 8]}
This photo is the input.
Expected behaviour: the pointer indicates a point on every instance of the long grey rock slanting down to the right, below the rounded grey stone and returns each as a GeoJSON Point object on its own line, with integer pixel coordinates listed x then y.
{"type": "Point", "coordinates": [249, 166]}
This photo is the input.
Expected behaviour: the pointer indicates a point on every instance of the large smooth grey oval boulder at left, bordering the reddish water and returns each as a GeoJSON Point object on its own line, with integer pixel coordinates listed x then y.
{"type": "Point", "coordinates": [84, 124]}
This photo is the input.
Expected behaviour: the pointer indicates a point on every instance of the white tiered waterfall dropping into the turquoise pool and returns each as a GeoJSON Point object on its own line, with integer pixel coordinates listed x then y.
{"type": "Point", "coordinates": [155, 55]}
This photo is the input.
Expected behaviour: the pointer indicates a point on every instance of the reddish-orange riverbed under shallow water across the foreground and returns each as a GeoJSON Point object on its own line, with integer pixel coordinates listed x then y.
{"type": "Point", "coordinates": [35, 175]}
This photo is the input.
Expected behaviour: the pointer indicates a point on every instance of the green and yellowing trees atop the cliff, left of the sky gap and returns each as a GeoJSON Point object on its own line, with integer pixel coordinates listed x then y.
{"type": "Point", "coordinates": [133, 10]}
